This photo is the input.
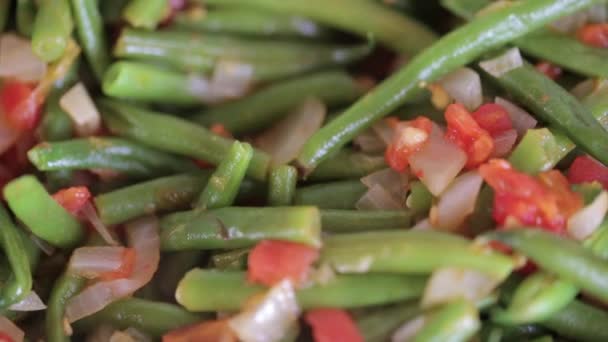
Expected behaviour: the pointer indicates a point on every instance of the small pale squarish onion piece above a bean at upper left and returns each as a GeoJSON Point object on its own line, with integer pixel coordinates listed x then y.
{"type": "Point", "coordinates": [81, 109]}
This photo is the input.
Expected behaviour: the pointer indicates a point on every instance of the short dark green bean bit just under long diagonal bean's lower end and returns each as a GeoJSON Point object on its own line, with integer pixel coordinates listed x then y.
{"type": "Point", "coordinates": [348, 164]}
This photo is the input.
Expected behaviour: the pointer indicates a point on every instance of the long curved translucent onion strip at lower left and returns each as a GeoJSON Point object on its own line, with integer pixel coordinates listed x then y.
{"type": "Point", "coordinates": [143, 236]}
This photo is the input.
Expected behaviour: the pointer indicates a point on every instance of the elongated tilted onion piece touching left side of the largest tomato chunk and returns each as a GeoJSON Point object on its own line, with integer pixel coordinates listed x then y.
{"type": "Point", "coordinates": [458, 201]}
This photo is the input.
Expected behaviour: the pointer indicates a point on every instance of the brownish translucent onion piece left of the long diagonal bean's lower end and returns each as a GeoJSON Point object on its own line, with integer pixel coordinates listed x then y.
{"type": "Point", "coordinates": [284, 140]}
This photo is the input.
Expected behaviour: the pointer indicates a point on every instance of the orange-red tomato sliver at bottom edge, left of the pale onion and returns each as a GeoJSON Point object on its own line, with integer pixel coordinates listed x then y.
{"type": "Point", "coordinates": [208, 331]}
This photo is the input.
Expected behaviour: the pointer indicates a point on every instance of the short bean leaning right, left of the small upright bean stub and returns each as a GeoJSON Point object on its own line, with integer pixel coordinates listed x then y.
{"type": "Point", "coordinates": [224, 183]}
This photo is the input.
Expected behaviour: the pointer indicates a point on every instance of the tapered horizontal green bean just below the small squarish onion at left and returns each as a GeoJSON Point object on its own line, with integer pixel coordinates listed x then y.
{"type": "Point", "coordinates": [114, 154]}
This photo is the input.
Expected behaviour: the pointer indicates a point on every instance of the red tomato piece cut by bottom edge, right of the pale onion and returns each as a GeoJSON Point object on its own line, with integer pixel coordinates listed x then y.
{"type": "Point", "coordinates": [333, 325]}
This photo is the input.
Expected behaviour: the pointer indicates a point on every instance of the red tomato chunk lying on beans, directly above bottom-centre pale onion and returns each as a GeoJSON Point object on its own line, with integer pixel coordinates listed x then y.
{"type": "Point", "coordinates": [271, 261]}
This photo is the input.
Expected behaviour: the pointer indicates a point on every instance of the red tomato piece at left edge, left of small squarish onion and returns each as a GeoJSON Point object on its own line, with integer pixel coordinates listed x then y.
{"type": "Point", "coordinates": [20, 105]}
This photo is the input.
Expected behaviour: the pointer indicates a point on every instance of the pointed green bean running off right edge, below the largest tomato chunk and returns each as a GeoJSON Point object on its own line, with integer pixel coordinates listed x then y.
{"type": "Point", "coordinates": [565, 258]}
